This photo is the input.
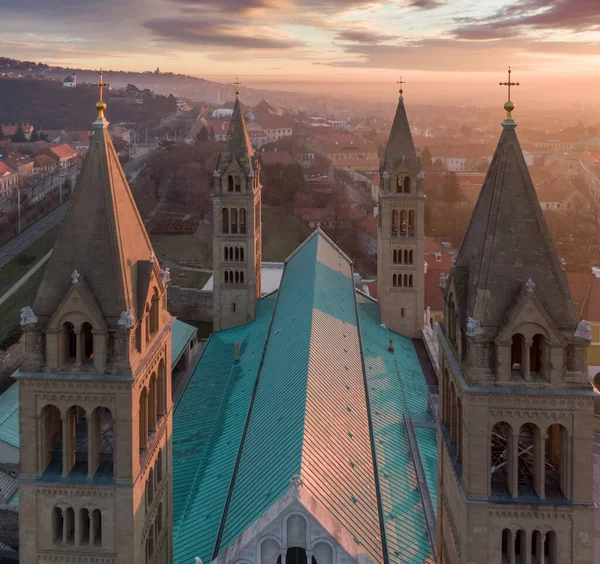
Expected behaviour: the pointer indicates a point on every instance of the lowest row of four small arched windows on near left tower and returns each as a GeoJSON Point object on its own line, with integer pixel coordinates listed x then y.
{"type": "Point", "coordinates": [63, 527]}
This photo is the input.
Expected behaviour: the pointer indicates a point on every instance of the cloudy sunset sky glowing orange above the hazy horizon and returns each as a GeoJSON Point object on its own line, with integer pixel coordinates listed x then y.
{"type": "Point", "coordinates": [311, 40]}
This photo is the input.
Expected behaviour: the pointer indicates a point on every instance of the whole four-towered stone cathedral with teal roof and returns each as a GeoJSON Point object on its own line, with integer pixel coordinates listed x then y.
{"type": "Point", "coordinates": [316, 427]}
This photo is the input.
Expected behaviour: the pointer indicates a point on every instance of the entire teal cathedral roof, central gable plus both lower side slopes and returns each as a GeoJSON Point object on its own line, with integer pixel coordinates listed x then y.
{"type": "Point", "coordinates": [243, 430]}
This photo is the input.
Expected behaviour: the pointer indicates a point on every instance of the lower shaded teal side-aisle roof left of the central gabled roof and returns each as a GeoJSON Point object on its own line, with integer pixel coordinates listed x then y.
{"type": "Point", "coordinates": [207, 429]}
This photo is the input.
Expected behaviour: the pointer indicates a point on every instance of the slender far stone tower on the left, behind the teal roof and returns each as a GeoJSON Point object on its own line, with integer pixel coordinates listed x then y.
{"type": "Point", "coordinates": [237, 232]}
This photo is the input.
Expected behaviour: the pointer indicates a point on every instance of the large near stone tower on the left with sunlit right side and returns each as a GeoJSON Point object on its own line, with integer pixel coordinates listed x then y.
{"type": "Point", "coordinates": [95, 388]}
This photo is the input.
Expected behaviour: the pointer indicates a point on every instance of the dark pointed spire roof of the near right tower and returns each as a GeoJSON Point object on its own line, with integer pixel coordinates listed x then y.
{"type": "Point", "coordinates": [507, 243]}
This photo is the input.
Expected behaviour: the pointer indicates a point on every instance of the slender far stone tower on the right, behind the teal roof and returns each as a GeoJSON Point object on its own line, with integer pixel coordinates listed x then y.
{"type": "Point", "coordinates": [400, 257]}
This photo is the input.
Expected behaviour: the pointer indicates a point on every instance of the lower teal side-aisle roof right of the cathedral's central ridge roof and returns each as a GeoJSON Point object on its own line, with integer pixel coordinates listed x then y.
{"type": "Point", "coordinates": [396, 386]}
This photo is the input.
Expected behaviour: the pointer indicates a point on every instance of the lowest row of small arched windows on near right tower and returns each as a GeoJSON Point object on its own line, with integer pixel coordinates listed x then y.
{"type": "Point", "coordinates": [540, 547]}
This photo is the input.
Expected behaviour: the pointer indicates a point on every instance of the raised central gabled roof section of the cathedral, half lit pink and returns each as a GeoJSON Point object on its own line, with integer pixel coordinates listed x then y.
{"type": "Point", "coordinates": [310, 395]}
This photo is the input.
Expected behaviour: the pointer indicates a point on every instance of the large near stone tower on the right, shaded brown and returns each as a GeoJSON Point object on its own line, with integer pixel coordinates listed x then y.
{"type": "Point", "coordinates": [515, 442]}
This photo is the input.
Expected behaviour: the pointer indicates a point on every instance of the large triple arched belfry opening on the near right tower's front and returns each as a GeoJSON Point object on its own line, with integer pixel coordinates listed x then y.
{"type": "Point", "coordinates": [530, 462]}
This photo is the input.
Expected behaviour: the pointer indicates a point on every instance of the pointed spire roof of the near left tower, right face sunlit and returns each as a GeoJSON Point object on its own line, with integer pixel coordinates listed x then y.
{"type": "Point", "coordinates": [102, 237]}
